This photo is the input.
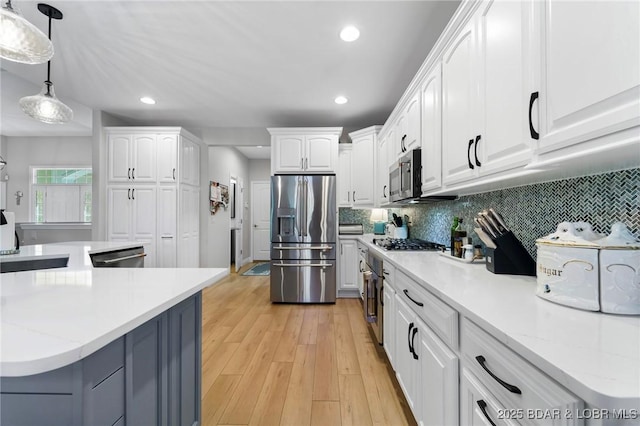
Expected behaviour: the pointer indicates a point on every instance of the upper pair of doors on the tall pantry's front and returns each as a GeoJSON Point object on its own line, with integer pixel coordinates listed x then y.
{"type": "Point", "coordinates": [132, 158]}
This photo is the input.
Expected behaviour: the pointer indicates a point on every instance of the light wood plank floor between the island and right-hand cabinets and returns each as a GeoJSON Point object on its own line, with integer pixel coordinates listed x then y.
{"type": "Point", "coordinates": [266, 364]}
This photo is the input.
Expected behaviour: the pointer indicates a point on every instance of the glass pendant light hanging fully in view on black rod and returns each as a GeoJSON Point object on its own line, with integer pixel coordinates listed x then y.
{"type": "Point", "coordinates": [45, 106]}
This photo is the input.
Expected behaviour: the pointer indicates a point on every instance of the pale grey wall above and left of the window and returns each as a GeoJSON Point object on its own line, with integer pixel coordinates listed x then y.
{"type": "Point", "coordinates": [22, 152]}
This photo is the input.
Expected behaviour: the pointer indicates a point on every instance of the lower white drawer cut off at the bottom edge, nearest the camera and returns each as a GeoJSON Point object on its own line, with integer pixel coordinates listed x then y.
{"type": "Point", "coordinates": [478, 406]}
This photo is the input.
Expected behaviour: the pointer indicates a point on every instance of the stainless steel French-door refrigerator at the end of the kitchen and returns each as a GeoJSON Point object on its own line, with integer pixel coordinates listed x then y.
{"type": "Point", "coordinates": [303, 238]}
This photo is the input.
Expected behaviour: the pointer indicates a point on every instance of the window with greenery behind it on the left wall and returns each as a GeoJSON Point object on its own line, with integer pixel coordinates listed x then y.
{"type": "Point", "coordinates": [61, 194]}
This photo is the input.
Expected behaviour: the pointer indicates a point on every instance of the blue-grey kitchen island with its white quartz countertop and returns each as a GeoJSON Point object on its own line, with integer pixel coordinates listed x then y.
{"type": "Point", "coordinates": [86, 344]}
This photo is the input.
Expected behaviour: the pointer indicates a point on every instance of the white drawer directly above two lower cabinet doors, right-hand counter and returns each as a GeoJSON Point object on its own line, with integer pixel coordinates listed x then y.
{"type": "Point", "coordinates": [442, 318]}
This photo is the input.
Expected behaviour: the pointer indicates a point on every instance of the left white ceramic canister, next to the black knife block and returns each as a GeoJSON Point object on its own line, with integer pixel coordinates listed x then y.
{"type": "Point", "coordinates": [567, 269]}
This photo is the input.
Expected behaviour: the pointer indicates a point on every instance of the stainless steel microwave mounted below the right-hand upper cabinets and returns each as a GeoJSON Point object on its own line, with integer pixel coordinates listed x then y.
{"type": "Point", "coordinates": [405, 177]}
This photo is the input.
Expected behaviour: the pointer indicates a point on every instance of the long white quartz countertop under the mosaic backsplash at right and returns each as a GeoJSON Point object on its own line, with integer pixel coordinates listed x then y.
{"type": "Point", "coordinates": [594, 355]}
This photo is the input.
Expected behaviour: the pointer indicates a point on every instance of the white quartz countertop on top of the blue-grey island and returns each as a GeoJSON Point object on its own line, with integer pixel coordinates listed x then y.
{"type": "Point", "coordinates": [53, 317]}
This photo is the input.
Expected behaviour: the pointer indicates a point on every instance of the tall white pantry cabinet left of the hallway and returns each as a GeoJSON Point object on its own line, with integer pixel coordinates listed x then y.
{"type": "Point", "coordinates": [153, 192]}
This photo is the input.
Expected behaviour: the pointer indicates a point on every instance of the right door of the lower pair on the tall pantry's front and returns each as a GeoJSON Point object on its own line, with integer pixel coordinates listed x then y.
{"type": "Point", "coordinates": [143, 221]}
